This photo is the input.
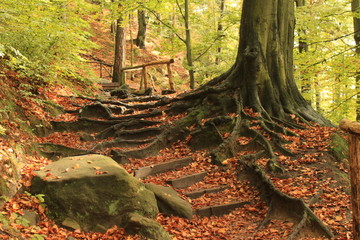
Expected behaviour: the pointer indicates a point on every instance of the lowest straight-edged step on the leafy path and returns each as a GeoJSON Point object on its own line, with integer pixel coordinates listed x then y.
{"type": "Point", "coordinates": [218, 210]}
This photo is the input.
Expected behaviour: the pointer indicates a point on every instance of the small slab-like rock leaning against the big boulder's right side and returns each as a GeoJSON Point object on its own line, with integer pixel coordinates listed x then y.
{"type": "Point", "coordinates": [169, 202]}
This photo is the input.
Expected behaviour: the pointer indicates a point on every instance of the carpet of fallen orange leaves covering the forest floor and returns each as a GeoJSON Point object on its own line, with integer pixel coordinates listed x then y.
{"type": "Point", "coordinates": [313, 175]}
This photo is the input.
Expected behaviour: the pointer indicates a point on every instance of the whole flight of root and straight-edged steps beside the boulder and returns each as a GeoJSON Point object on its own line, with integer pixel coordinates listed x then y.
{"type": "Point", "coordinates": [127, 137]}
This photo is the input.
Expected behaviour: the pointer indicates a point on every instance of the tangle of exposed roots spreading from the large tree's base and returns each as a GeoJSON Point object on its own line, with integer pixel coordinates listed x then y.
{"type": "Point", "coordinates": [217, 112]}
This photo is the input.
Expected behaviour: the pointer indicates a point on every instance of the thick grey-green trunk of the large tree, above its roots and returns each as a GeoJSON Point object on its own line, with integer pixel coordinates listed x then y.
{"type": "Point", "coordinates": [264, 67]}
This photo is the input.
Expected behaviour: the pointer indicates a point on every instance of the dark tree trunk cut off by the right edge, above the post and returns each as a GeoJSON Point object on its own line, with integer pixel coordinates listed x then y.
{"type": "Point", "coordinates": [355, 6]}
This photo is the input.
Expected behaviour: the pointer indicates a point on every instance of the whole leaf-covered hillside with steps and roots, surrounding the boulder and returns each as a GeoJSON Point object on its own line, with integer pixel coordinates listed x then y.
{"type": "Point", "coordinates": [42, 122]}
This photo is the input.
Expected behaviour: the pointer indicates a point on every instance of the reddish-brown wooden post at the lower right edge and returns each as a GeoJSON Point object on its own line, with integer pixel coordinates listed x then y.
{"type": "Point", "coordinates": [353, 128]}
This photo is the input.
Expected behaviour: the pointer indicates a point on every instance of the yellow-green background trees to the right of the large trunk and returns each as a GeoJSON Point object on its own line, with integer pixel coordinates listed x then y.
{"type": "Point", "coordinates": [328, 67]}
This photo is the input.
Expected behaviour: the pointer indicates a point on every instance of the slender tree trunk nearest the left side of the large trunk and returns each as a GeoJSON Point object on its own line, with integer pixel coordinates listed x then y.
{"type": "Point", "coordinates": [188, 45]}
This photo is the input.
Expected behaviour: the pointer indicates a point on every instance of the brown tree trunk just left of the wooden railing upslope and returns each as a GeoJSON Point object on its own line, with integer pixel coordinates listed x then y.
{"type": "Point", "coordinates": [120, 53]}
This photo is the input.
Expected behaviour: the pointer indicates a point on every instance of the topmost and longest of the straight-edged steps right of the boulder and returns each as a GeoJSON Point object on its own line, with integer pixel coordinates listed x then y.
{"type": "Point", "coordinates": [162, 167]}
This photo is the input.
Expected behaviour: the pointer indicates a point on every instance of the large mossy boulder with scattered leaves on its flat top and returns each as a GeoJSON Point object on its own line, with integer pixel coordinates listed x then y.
{"type": "Point", "coordinates": [94, 191]}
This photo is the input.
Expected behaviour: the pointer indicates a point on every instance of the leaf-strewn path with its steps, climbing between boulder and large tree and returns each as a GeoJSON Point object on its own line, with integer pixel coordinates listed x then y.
{"type": "Point", "coordinates": [234, 200]}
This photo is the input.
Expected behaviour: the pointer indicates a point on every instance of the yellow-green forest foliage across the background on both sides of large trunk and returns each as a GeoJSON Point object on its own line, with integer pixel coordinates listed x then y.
{"type": "Point", "coordinates": [47, 38]}
